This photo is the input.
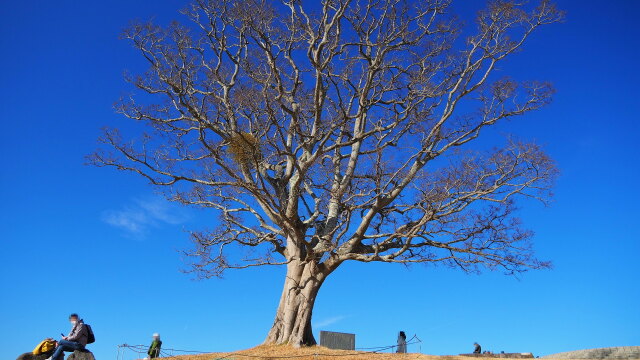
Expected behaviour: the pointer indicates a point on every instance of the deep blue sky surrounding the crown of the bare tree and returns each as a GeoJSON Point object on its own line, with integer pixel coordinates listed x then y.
{"type": "Point", "coordinates": [81, 239]}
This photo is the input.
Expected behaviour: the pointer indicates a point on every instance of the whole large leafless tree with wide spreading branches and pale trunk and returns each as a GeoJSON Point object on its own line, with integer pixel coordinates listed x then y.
{"type": "Point", "coordinates": [333, 131]}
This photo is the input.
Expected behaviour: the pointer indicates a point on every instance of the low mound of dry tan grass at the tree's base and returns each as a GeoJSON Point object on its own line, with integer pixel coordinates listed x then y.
{"type": "Point", "coordinates": [271, 352]}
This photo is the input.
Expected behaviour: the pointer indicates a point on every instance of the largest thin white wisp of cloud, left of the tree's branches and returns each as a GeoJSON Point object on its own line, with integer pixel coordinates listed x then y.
{"type": "Point", "coordinates": [142, 214]}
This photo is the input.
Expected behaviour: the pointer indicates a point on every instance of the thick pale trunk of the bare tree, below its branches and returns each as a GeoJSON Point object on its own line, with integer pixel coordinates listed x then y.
{"type": "Point", "coordinates": [292, 324]}
